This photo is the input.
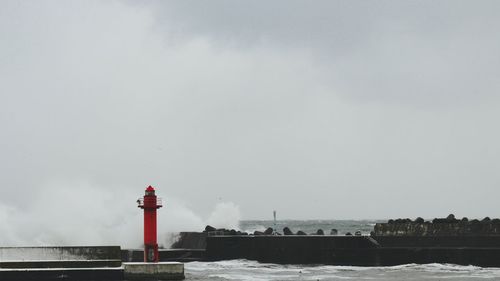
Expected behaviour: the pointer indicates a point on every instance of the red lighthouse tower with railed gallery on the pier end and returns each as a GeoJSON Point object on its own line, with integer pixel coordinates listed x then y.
{"type": "Point", "coordinates": [150, 203]}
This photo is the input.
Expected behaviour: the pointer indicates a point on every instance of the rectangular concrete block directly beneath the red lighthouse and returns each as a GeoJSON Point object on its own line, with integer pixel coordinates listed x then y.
{"type": "Point", "coordinates": [153, 271]}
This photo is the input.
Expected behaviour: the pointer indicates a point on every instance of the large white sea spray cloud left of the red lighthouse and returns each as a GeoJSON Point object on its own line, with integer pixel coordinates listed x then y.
{"type": "Point", "coordinates": [73, 213]}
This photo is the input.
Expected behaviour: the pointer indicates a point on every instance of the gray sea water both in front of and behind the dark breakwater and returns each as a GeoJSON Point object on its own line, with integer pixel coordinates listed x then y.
{"type": "Point", "coordinates": [246, 270]}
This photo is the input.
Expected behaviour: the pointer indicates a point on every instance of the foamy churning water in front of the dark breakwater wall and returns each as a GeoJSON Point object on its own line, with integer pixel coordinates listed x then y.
{"type": "Point", "coordinates": [247, 270]}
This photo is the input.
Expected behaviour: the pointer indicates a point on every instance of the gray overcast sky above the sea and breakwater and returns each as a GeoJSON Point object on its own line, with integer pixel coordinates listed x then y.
{"type": "Point", "coordinates": [322, 109]}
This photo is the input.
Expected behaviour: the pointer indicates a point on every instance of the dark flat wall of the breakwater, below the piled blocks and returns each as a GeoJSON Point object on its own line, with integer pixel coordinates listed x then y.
{"type": "Point", "coordinates": [346, 250]}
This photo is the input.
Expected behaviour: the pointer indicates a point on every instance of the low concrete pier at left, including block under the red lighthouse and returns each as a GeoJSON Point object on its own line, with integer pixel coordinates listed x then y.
{"type": "Point", "coordinates": [80, 263]}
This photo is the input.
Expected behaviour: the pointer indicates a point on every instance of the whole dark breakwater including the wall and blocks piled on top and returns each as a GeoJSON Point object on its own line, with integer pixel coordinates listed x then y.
{"type": "Point", "coordinates": [402, 241]}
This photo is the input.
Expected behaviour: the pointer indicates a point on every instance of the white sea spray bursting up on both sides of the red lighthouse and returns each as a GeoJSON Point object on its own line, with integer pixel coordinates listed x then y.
{"type": "Point", "coordinates": [68, 213]}
